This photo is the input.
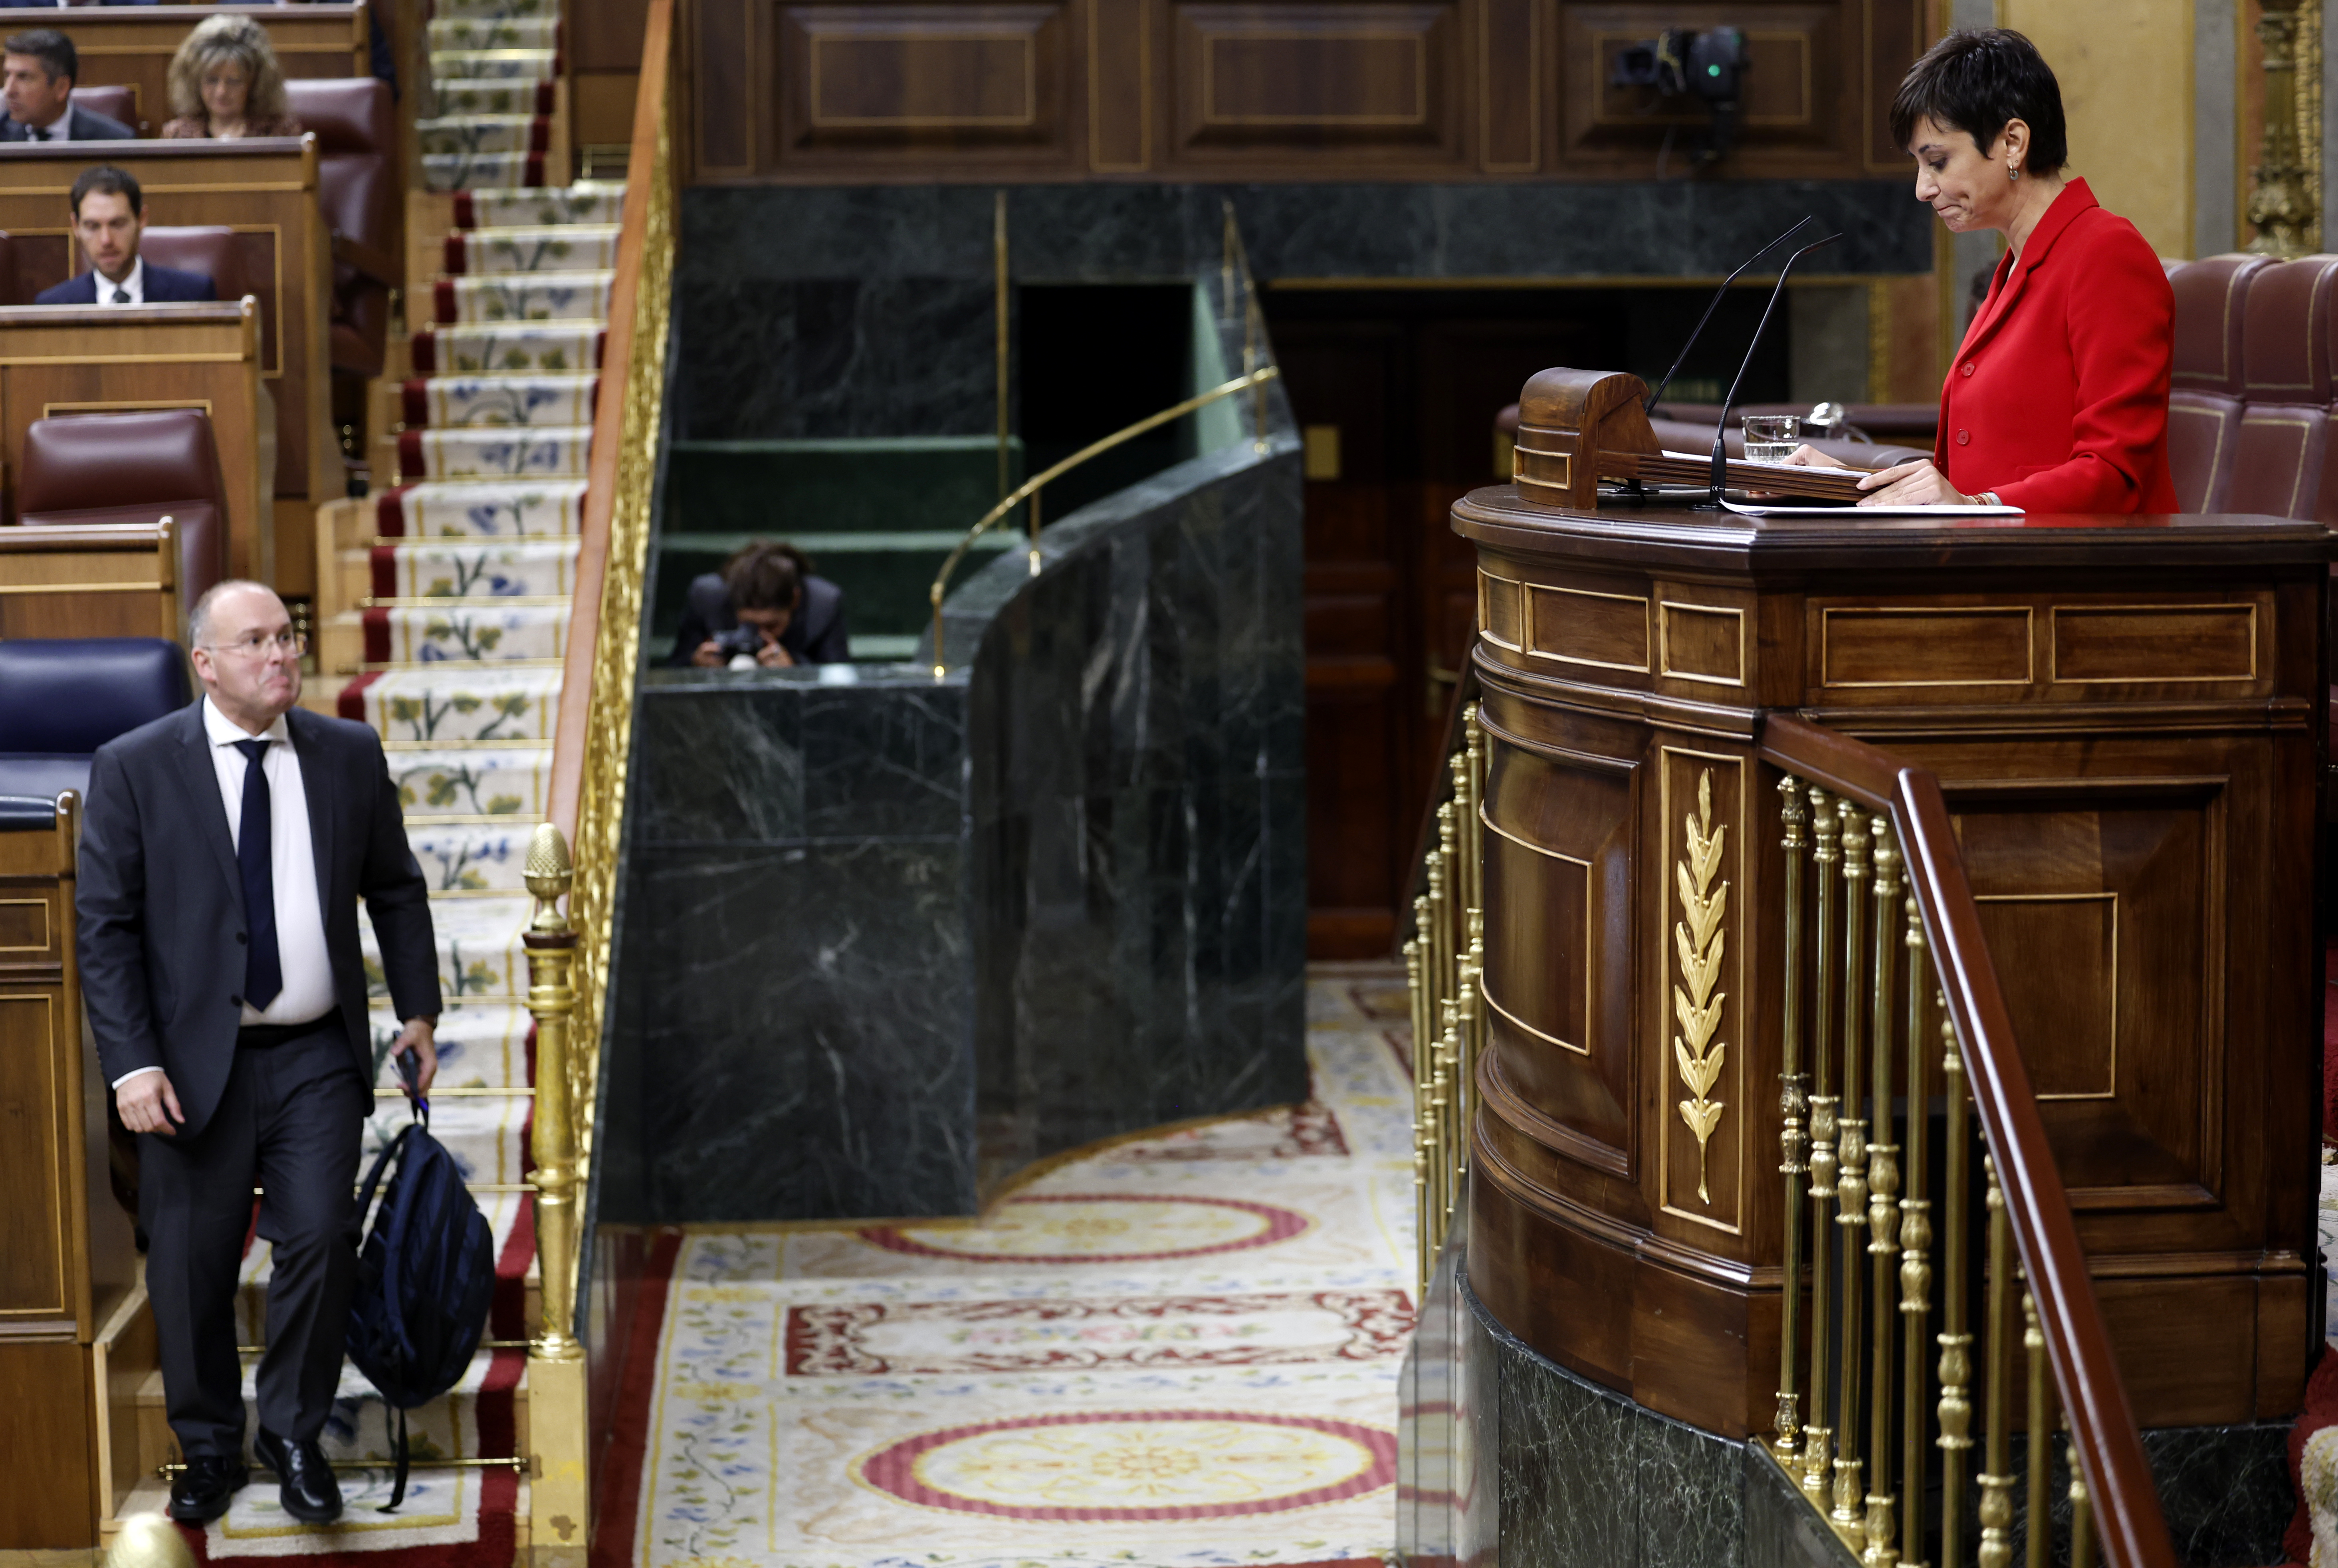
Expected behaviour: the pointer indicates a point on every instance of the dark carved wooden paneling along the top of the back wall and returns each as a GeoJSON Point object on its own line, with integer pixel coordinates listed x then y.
{"type": "Point", "coordinates": [1296, 90]}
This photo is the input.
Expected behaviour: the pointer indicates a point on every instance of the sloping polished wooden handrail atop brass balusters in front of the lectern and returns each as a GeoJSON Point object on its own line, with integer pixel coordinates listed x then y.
{"type": "Point", "coordinates": [2077, 1345]}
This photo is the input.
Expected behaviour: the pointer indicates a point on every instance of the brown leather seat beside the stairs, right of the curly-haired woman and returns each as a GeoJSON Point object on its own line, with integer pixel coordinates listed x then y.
{"type": "Point", "coordinates": [357, 134]}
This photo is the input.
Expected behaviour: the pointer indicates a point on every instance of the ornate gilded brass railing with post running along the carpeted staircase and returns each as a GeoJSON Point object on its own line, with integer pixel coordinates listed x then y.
{"type": "Point", "coordinates": [569, 952]}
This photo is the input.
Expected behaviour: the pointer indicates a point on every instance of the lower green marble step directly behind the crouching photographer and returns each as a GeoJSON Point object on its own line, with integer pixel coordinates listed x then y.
{"type": "Point", "coordinates": [885, 576]}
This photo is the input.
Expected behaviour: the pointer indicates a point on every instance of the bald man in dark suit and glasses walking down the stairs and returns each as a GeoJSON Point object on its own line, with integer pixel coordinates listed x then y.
{"type": "Point", "coordinates": [223, 859]}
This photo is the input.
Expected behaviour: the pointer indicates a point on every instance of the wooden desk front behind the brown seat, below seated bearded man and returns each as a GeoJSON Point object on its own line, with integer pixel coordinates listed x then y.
{"type": "Point", "coordinates": [167, 356]}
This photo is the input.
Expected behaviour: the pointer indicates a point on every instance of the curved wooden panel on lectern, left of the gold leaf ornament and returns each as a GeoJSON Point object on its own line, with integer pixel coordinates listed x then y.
{"type": "Point", "coordinates": [1558, 929]}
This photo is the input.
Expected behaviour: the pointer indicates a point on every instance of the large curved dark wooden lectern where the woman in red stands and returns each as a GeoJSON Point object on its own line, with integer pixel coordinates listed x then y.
{"type": "Point", "coordinates": [2126, 714]}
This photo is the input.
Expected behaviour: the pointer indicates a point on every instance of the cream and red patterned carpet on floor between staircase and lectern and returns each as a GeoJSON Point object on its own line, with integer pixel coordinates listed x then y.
{"type": "Point", "coordinates": [1170, 1354]}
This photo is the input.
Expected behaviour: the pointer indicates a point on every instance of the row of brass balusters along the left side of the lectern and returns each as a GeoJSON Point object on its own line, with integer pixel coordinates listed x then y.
{"type": "Point", "coordinates": [1444, 969]}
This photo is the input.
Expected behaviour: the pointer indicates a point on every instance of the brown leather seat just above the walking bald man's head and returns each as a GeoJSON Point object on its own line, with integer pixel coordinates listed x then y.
{"type": "Point", "coordinates": [132, 469]}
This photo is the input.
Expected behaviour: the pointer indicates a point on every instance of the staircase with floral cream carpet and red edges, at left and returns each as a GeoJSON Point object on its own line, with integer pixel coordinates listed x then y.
{"type": "Point", "coordinates": [443, 620]}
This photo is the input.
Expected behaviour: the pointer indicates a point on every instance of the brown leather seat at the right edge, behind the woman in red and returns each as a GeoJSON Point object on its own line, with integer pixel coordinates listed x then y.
{"type": "Point", "coordinates": [2285, 359]}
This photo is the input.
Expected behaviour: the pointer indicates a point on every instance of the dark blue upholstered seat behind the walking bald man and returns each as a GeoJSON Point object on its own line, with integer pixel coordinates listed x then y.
{"type": "Point", "coordinates": [67, 698]}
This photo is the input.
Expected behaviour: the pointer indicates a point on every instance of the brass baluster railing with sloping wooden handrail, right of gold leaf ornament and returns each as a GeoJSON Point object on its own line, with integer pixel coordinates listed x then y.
{"type": "Point", "coordinates": [1872, 873]}
